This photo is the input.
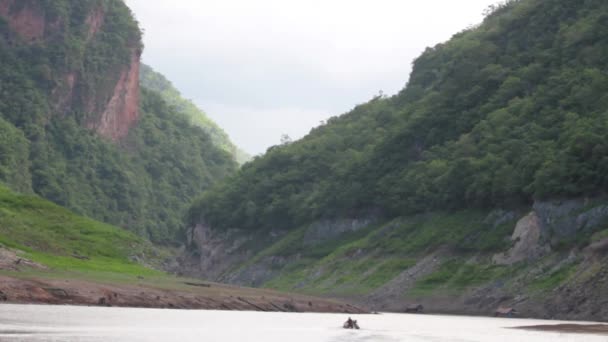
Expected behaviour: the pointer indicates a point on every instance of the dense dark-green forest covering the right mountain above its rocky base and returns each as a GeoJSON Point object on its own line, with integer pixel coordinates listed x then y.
{"type": "Point", "coordinates": [504, 113]}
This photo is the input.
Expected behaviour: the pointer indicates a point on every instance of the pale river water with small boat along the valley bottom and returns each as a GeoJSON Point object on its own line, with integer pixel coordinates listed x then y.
{"type": "Point", "coordinates": [91, 324]}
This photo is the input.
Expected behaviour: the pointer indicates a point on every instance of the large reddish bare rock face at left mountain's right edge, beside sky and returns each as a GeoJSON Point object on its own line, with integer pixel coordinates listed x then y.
{"type": "Point", "coordinates": [123, 109]}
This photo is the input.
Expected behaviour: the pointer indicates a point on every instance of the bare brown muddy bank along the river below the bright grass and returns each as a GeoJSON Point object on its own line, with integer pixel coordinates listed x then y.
{"type": "Point", "coordinates": [186, 295]}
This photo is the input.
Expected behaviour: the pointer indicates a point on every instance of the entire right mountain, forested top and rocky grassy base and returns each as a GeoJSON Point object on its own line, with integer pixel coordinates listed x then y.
{"type": "Point", "coordinates": [481, 184]}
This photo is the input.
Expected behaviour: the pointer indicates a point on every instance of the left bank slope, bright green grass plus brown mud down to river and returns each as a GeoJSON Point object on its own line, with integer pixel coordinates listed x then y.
{"type": "Point", "coordinates": [50, 255]}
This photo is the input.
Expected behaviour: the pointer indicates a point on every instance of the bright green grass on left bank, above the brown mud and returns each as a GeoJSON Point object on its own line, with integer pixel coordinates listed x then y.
{"type": "Point", "coordinates": [57, 238]}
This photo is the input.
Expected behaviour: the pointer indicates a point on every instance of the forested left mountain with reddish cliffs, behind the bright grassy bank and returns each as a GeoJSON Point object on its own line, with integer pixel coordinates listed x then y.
{"type": "Point", "coordinates": [78, 130]}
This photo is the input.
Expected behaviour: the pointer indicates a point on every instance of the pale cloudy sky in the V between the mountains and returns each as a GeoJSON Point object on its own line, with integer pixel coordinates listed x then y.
{"type": "Point", "coordinates": [265, 68]}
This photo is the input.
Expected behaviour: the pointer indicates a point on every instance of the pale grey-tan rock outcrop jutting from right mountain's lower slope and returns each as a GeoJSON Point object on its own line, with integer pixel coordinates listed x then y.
{"type": "Point", "coordinates": [527, 242]}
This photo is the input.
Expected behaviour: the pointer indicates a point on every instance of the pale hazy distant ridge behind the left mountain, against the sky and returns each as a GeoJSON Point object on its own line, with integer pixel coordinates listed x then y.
{"type": "Point", "coordinates": [157, 82]}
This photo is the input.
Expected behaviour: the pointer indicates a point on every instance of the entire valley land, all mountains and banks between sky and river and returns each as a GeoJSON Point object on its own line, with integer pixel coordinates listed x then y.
{"type": "Point", "coordinates": [480, 188]}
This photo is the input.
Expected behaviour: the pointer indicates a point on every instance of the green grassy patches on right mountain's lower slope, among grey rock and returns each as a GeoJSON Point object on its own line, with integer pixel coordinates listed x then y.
{"type": "Point", "coordinates": [361, 263]}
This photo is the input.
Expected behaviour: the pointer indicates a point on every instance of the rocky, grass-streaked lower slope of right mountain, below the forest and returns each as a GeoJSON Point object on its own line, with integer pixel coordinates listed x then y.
{"type": "Point", "coordinates": [547, 260]}
